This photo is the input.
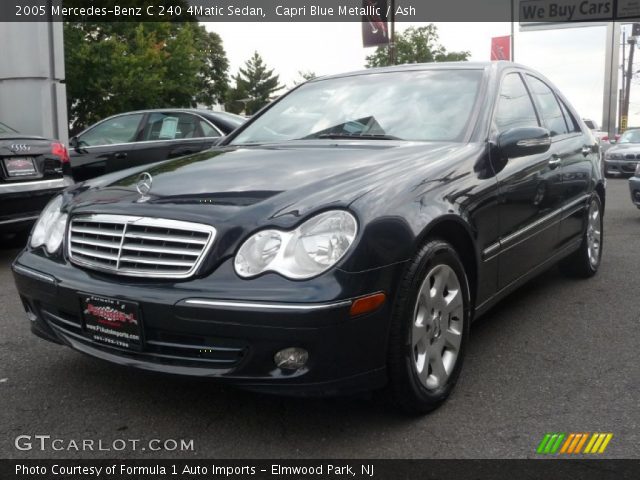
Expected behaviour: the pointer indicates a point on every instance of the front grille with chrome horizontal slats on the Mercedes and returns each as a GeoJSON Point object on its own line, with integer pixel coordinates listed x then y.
{"type": "Point", "coordinates": [138, 246]}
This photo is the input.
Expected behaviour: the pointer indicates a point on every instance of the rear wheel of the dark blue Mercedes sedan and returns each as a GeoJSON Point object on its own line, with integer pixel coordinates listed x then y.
{"type": "Point", "coordinates": [585, 261]}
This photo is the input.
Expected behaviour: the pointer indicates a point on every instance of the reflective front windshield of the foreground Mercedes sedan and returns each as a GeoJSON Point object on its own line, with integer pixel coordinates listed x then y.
{"type": "Point", "coordinates": [427, 105]}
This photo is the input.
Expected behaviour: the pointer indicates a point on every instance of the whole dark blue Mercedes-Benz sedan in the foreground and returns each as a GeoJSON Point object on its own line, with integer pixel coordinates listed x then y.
{"type": "Point", "coordinates": [343, 239]}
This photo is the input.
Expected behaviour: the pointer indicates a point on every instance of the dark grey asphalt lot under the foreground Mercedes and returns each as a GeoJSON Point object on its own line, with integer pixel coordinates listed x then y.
{"type": "Point", "coordinates": [559, 355]}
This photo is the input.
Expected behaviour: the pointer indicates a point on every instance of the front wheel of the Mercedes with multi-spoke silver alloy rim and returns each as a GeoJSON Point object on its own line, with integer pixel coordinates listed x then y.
{"type": "Point", "coordinates": [420, 378]}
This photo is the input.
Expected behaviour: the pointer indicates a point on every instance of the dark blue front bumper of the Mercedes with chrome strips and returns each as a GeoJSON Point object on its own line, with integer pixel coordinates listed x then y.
{"type": "Point", "coordinates": [192, 328]}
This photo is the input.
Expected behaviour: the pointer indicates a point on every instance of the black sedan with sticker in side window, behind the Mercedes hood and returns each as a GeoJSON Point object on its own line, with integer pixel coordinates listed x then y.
{"type": "Point", "coordinates": [137, 138]}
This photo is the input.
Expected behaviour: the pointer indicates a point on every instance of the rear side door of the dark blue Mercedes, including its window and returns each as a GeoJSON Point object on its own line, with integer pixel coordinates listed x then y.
{"type": "Point", "coordinates": [574, 150]}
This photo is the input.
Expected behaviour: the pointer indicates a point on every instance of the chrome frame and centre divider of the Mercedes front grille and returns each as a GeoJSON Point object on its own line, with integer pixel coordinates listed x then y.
{"type": "Point", "coordinates": [127, 220]}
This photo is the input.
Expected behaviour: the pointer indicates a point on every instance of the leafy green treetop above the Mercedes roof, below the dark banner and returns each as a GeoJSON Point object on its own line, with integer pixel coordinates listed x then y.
{"type": "Point", "coordinates": [416, 45]}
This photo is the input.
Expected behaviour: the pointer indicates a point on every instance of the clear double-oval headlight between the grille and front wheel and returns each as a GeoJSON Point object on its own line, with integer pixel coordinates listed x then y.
{"type": "Point", "coordinates": [312, 248]}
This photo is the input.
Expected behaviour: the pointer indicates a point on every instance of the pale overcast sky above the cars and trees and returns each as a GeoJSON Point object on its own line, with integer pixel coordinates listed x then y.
{"type": "Point", "coordinates": [572, 58]}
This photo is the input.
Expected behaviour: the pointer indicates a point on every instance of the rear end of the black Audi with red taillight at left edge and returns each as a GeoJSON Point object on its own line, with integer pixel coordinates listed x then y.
{"type": "Point", "coordinates": [32, 170]}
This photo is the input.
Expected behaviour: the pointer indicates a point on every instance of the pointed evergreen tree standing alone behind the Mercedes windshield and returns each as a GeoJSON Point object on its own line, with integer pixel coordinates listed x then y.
{"type": "Point", "coordinates": [255, 85]}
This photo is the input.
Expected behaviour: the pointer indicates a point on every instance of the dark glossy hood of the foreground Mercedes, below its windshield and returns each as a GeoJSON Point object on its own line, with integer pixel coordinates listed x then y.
{"type": "Point", "coordinates": [262, 182]}
